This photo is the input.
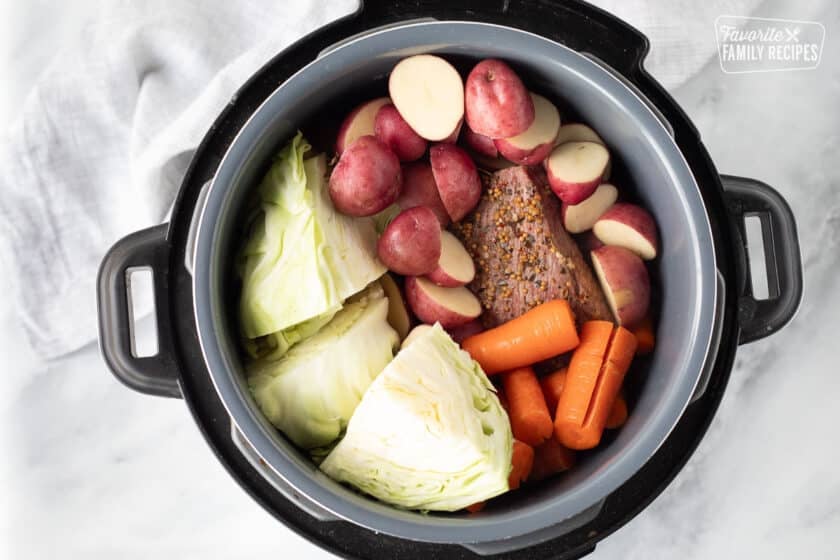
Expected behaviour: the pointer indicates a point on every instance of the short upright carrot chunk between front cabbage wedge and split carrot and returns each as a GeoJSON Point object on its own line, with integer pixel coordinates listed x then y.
{"type": "Point", "coordinates": [529, 416]}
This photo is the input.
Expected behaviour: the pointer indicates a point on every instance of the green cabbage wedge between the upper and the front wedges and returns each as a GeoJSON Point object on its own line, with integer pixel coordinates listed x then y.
{"type": "Point", "coordinates": [311, 392]}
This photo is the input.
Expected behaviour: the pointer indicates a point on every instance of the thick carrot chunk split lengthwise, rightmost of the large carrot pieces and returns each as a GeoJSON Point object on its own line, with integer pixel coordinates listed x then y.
{"type": "Point", "coordinates": [595, 374]}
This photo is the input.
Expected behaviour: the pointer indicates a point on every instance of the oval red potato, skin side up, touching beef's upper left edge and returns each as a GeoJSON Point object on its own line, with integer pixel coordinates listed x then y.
{"type": "Point", "coordinates": [457, 179]}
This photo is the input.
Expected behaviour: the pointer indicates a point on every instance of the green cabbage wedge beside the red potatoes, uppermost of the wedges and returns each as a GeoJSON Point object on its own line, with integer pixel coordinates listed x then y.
{"type": "Point", "coordinates": [302, 258]}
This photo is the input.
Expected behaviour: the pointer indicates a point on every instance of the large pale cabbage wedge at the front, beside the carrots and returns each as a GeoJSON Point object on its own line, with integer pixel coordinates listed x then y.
{"type": "Point", "coordinates": [429, 433]}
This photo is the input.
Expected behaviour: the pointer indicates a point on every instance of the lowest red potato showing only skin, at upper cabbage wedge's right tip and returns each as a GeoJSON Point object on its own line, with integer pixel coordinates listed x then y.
{"type": "Point", "coordinates": [410, 244]}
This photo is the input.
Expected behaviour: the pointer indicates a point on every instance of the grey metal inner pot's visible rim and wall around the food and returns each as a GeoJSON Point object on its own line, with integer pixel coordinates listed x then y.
{"type": "Point", "coordinates": [689, 285]}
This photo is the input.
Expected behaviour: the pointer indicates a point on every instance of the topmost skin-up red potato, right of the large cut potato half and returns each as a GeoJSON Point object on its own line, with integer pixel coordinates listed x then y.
{"type": "Point", "coordinates": [497, 103]}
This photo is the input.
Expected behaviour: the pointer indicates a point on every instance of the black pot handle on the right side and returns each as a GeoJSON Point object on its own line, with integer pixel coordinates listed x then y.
{"type": "Point", "coordinates": [762, 317]}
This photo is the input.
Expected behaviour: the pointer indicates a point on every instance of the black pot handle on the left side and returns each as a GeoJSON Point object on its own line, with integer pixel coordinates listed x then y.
{"type": "Point", "coordinates": [153, 375]}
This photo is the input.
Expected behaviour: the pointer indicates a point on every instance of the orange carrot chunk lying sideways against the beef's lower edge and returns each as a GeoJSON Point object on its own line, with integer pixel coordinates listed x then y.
{"type": "Point", "coordinates": [545, 331]}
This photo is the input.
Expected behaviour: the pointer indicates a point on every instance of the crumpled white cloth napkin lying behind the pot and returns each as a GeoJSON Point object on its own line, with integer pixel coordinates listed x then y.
{"type": "Point", "coordinates": [103, 140]}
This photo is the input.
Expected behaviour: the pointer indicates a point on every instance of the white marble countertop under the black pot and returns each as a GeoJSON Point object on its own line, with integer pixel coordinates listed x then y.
{"type": "Point", "coordinates": [92, 470]}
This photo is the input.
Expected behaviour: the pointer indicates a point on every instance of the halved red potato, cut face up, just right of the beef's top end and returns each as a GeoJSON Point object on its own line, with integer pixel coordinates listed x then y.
{"type": "Point", "coordinates": [575, 170]}
